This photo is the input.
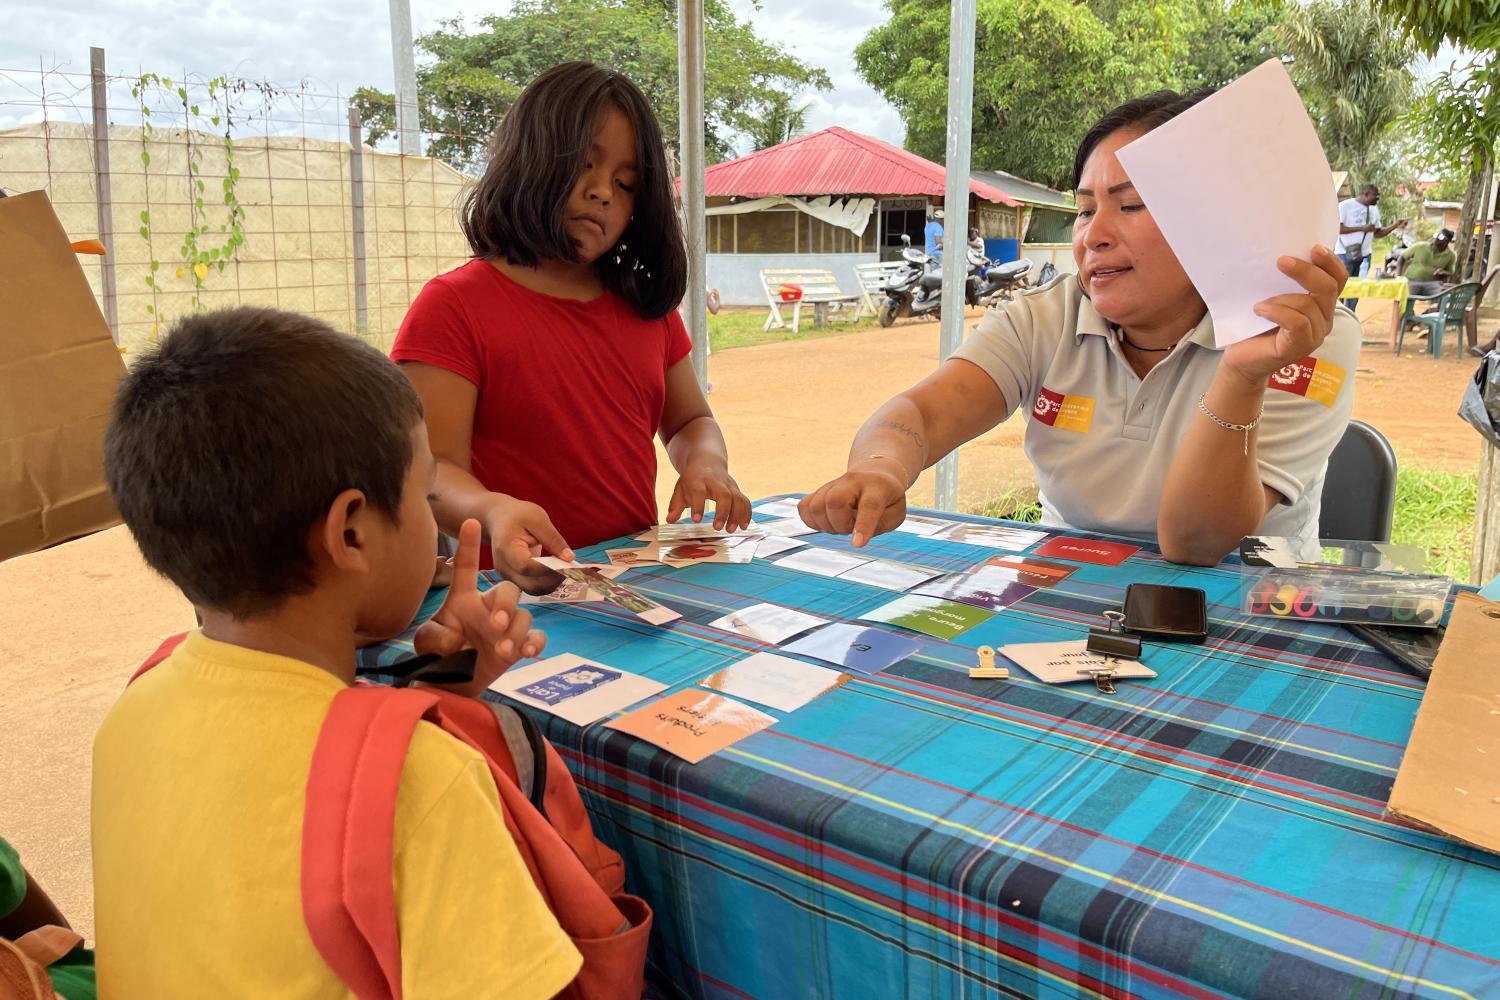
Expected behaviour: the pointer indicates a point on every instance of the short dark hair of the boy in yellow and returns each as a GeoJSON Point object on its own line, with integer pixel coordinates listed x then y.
{"type": "Point", "coordinates": [229, 442]}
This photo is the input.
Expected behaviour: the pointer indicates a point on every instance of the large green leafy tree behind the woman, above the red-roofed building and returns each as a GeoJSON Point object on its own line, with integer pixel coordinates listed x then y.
{"type": "Point", "coordinates": [1046, 70]}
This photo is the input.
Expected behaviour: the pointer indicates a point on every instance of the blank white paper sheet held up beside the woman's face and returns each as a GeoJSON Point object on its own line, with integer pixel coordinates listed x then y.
{"type": "Point", "coordinates": [1234, 184]}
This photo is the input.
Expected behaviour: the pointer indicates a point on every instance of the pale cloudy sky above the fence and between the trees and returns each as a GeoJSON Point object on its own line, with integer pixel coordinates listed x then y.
{"type": "Point", "coordinates": [344, 44]}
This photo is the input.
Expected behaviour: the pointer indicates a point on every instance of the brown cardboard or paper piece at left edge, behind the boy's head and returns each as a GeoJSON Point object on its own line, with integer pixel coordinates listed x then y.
{"type": "Point", "coordinates": [58, 374]}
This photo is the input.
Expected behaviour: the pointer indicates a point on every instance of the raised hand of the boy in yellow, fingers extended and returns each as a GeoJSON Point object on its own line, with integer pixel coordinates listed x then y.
{"type": "Point", "coordinates": [488, 623]}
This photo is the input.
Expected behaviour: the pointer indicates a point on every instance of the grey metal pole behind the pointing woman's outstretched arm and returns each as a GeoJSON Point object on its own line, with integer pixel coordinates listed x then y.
{"type": "Point", "coordinates": [956, 212]}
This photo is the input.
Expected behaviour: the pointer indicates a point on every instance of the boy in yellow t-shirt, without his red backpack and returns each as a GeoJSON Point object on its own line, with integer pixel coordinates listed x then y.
{"type": "Point", "coordinates": [278, 473]}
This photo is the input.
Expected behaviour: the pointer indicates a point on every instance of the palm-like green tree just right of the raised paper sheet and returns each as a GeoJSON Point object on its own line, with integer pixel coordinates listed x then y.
{"type": "Point", "coordinates": [1352, 68]}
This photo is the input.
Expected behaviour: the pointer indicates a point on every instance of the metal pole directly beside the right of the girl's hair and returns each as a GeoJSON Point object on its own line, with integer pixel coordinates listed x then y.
{"type": "Point", "coordinates": [691, 133]}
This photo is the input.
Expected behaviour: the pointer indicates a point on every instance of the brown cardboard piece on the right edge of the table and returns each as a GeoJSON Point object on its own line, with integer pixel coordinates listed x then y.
{"type": "Point", "coordinates": [1450, 779]}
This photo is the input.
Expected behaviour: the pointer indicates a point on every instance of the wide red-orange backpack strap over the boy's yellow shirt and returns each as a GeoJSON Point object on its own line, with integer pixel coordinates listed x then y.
{"type": "Point", "coordinates": [349, 899]}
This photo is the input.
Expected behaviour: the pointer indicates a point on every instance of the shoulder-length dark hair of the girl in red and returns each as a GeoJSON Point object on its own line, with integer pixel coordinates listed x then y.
{"type": "Point", "coordinates": [536, 158]}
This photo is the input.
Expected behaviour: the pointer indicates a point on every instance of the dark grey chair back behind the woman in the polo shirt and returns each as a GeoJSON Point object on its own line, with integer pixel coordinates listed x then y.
{"type": "Point", "coordinates": [1360, 491]}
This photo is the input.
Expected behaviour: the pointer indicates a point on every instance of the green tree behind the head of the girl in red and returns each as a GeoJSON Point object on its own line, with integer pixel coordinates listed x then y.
{"type": "Point", "coordinates": [470, 79]}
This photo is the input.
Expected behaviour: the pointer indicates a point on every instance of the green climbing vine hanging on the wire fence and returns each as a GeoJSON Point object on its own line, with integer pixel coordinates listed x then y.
{"type": "Point", "coordinates": [205, 247]}
